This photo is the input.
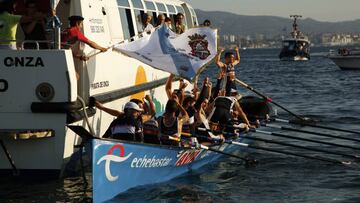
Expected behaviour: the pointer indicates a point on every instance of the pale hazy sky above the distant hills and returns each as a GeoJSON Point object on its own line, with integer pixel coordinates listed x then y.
{"type": "Point", "coordinates": [322, 10]}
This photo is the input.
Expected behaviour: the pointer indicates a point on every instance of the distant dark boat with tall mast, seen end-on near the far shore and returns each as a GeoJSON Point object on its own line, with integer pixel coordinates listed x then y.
{"type": "Point", "coordinates": [297, 46]}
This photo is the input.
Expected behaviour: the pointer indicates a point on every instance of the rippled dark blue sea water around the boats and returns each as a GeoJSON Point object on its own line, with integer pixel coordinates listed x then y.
{"type": "Point", "coordinates": [316, 89]}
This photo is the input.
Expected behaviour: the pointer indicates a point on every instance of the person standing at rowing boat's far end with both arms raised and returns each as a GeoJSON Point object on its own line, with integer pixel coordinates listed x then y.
{"type": "Point", "coordinates": [229, 68]}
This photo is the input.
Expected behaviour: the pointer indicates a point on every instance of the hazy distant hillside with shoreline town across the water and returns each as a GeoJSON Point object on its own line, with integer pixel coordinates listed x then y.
{"type": "Point", "coordinates": [230, 23]}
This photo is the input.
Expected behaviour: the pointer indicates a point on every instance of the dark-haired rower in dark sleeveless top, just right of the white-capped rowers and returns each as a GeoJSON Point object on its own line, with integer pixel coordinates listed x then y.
{"type": "Point", "coordinates": [170, 125]}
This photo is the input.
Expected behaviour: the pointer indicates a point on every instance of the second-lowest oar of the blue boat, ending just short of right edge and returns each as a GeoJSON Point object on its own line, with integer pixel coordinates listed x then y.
{"type": "Point", "coordinates": [291, 153]}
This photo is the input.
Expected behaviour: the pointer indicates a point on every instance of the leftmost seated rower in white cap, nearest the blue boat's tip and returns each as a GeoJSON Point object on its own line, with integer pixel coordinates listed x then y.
{"type": "Point", "coordinates": [126, 126]}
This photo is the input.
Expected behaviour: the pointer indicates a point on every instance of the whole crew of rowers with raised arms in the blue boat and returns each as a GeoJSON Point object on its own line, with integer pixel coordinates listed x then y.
{"type": "Point", "coordinates": [187, 113]}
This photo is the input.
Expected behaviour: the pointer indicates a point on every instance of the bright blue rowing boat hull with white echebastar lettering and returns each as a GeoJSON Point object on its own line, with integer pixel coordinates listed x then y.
{"type": "Point", "coordinates": [119, 166]}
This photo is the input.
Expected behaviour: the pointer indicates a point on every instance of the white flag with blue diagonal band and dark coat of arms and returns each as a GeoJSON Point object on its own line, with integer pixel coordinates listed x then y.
{"type": "Point", "coordinates": [183, 55]}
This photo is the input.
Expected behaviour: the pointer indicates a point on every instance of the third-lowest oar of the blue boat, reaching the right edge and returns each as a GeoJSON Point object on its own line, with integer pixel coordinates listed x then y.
{"type": "Point", "coordinates": [292, 145]}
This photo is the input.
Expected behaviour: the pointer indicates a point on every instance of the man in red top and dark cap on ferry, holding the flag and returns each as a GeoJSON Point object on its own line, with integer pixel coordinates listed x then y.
{"type": "Point", "coordinates": [73, 34]}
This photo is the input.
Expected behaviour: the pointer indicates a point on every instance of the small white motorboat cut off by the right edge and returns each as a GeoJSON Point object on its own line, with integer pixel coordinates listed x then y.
{"type": "Point", "coordinates": [346, 59]}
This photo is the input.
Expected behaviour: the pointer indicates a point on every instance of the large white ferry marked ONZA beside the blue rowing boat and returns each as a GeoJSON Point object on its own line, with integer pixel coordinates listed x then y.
{"type": "Point", "coordinates": [40, 94]}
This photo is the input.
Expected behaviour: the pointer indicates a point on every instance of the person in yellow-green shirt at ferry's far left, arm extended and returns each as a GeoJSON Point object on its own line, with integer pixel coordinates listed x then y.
{"type": "Point", "coordinates": [9, 23]}
